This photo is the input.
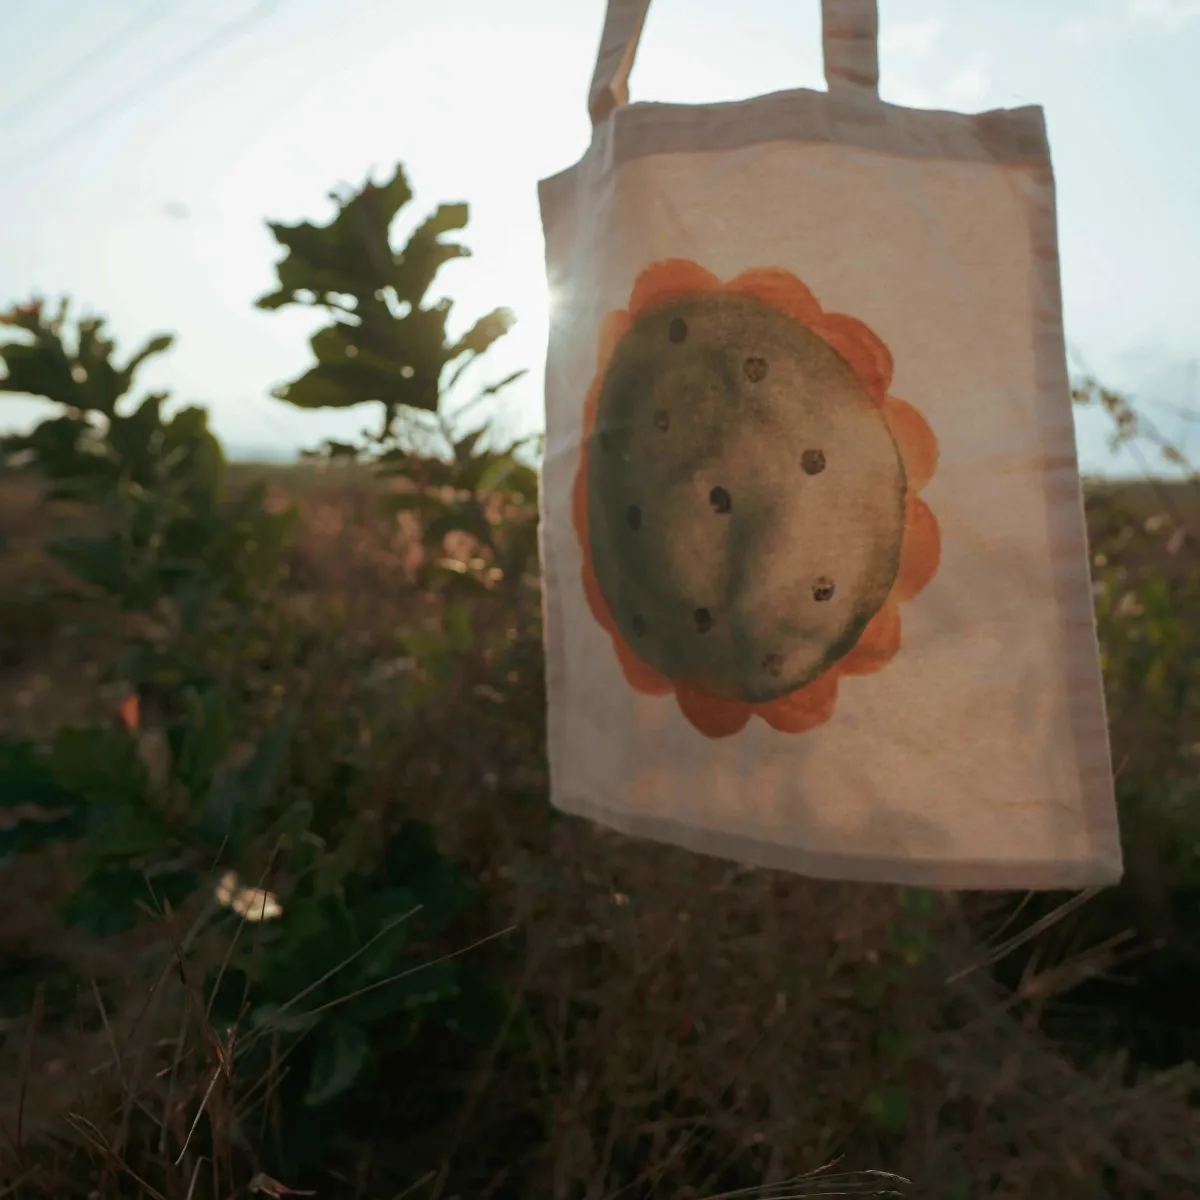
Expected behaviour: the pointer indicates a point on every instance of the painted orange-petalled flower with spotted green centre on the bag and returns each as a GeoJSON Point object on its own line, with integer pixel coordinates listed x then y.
{"type": "Point", "coordinates": [748, 497]}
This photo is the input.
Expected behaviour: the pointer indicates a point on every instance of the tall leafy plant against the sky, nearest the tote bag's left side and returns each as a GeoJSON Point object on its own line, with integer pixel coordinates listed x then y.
{"type": "Point", "coordinates": [388, 345]}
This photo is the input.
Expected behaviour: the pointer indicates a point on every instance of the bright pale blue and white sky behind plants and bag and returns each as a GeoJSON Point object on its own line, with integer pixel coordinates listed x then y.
{"type": "Point", "coordinates": [145, 143]}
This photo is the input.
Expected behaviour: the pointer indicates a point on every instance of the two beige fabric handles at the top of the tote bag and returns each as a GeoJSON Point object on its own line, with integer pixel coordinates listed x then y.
{"type": "Point", "coordinates": [850, 40]}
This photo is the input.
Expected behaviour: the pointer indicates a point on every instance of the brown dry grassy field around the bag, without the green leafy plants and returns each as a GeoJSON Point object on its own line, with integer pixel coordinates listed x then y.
{"type": "Point", "coordinates": [661, 1024]}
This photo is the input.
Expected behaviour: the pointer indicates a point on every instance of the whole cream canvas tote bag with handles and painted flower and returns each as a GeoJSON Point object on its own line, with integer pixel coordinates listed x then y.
{"type": "Point", "coordinates": [817, 587]}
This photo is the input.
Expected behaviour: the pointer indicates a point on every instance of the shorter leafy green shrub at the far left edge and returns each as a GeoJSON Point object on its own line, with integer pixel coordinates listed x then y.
{"type": "Point", "coordinates": [163, 538]}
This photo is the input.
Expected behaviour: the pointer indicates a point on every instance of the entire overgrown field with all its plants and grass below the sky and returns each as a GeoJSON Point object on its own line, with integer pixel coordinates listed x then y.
{"type": "Point", "coordinates": [287, 911]}
